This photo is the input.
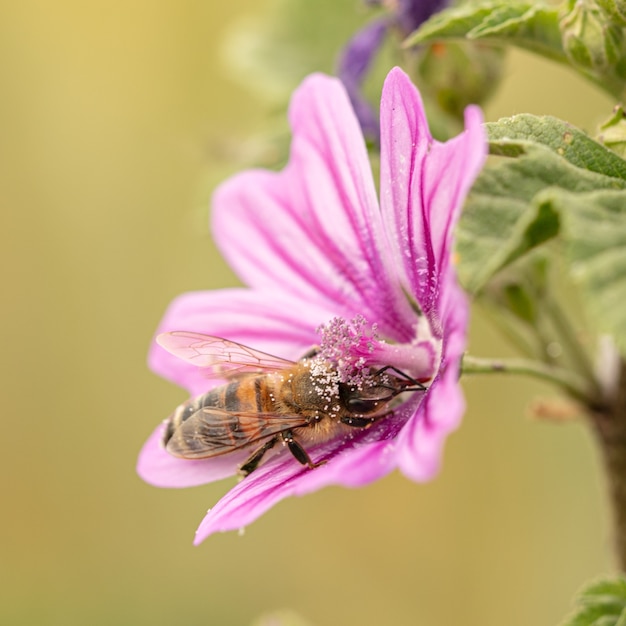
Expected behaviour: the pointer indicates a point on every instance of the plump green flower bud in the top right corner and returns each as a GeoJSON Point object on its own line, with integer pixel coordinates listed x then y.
{"type": "Point", "coordinates": [590, 40]}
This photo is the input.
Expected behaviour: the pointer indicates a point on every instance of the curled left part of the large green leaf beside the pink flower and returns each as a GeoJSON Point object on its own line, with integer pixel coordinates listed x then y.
{"type": "Point", "coordinates": [504, 218]}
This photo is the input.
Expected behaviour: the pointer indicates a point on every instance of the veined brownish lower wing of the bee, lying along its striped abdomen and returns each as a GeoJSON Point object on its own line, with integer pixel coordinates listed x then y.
{"type": "Point", "coordinates": [211, 432]}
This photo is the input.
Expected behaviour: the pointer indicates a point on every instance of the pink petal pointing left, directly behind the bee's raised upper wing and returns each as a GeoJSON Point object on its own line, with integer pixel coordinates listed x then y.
{"type": "Point", "coordinates": [270, 322]}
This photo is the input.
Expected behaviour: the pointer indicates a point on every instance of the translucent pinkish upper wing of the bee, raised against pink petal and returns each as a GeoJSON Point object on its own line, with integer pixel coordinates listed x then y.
{"type": "Point", "coordinates": [219, 357]}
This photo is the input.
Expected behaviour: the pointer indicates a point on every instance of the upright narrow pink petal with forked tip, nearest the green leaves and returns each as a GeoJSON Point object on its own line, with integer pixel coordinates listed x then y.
{"type": "Point", "coordinates": [423, 185]}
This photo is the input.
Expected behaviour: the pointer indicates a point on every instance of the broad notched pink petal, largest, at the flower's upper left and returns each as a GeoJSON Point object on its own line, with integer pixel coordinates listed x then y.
{"type": "Point", "coordinates": [314, 229]}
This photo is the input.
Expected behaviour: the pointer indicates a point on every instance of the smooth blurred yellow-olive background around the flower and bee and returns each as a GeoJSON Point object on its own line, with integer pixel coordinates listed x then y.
{"type": "Point", "coordinates": [116, 119]}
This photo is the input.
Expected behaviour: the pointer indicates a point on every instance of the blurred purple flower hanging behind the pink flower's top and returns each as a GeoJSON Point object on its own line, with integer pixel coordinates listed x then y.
{"type": "Point", "coordinates": [359, 52]}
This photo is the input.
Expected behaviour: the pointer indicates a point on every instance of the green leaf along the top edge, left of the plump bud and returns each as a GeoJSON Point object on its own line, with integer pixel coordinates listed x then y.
{"type": "Point", "coordinates": [527, 25]}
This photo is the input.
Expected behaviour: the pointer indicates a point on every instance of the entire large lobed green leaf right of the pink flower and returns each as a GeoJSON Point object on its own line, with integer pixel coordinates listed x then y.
{"type": "Point", "coordinates": [552, 182]}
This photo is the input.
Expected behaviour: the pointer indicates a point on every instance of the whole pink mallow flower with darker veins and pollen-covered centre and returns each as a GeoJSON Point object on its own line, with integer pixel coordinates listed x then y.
{"type": "Point", "coordinates": [327, 264]}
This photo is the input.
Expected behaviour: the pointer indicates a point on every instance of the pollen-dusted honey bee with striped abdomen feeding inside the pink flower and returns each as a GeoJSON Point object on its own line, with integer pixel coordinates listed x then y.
{"type": "Point", "coordinates": [267, 400]}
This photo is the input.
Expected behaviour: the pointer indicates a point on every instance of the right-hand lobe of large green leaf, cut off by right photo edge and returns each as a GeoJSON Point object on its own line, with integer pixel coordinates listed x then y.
{"type": "Point", "coordinates": [594, 235]}
